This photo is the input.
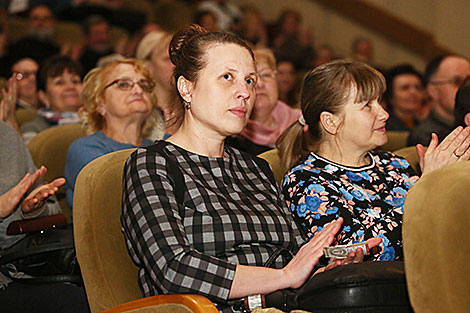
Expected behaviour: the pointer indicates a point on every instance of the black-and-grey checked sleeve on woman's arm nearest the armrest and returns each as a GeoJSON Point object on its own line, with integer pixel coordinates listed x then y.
{"type": "Point", "coordinates": [156, 238]}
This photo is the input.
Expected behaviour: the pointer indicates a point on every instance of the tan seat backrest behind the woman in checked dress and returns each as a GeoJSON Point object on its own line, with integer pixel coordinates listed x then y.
{"type": "Point", "coordinates": [109, 274]}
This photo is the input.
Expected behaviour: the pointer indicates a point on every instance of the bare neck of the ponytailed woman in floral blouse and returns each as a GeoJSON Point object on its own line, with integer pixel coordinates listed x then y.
{"type": "Point", "coordinates": [344, 156]}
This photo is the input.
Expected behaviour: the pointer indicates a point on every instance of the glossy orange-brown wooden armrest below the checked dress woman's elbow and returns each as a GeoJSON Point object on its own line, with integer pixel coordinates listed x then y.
{"type": "Point", "coordinates": [196, 303]}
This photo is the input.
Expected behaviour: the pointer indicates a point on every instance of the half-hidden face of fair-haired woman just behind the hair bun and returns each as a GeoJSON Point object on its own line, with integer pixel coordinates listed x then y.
{"type": "Point", "coordinates": [162, 68]}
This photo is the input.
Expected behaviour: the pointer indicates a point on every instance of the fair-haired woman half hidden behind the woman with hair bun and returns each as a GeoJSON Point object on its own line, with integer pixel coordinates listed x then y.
{"type": "Point", "coordinates": [153, 50]}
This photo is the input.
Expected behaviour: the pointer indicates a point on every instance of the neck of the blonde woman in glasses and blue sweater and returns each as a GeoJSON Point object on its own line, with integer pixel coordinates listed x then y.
{"type": "Point", "coordinates": [130, 133]}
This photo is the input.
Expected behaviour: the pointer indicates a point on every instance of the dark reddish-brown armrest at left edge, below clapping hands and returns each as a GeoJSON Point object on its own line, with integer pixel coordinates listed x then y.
{"type": "Point", "coordinates": [36, 224]}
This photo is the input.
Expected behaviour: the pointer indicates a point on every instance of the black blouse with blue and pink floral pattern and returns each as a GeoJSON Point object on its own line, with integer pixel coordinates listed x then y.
{"type": "Point", "coordinates": [370, 199]}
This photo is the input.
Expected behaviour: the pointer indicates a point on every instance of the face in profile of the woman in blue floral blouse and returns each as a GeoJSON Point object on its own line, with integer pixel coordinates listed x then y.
{"type": "Point", "coordinates": [363, 126]}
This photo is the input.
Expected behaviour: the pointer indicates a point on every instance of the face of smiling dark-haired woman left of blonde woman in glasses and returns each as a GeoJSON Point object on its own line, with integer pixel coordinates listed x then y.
{"type": "Point", "coordinates": [63, 92]}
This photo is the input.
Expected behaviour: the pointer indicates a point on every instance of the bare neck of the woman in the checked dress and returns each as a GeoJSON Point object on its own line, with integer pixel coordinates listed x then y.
{"type": "Point", "coordinates": [198, 140]}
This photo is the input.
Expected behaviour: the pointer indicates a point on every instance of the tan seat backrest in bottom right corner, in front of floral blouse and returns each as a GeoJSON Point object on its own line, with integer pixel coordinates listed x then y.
{"type": "Point", "coordinates": [436, 240]}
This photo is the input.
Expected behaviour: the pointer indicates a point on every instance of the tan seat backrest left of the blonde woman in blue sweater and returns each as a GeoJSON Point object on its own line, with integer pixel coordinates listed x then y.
{"type": "Point", "coordinates": [49, 148]}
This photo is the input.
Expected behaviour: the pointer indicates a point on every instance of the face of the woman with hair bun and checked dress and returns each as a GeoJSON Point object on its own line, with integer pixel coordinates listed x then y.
{"type": "Point", "coordinates": [222, 97]}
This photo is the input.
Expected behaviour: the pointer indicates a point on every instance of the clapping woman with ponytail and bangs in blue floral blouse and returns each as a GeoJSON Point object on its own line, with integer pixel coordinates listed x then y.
{"type": "Point", "coordinates": [334, 170]}
